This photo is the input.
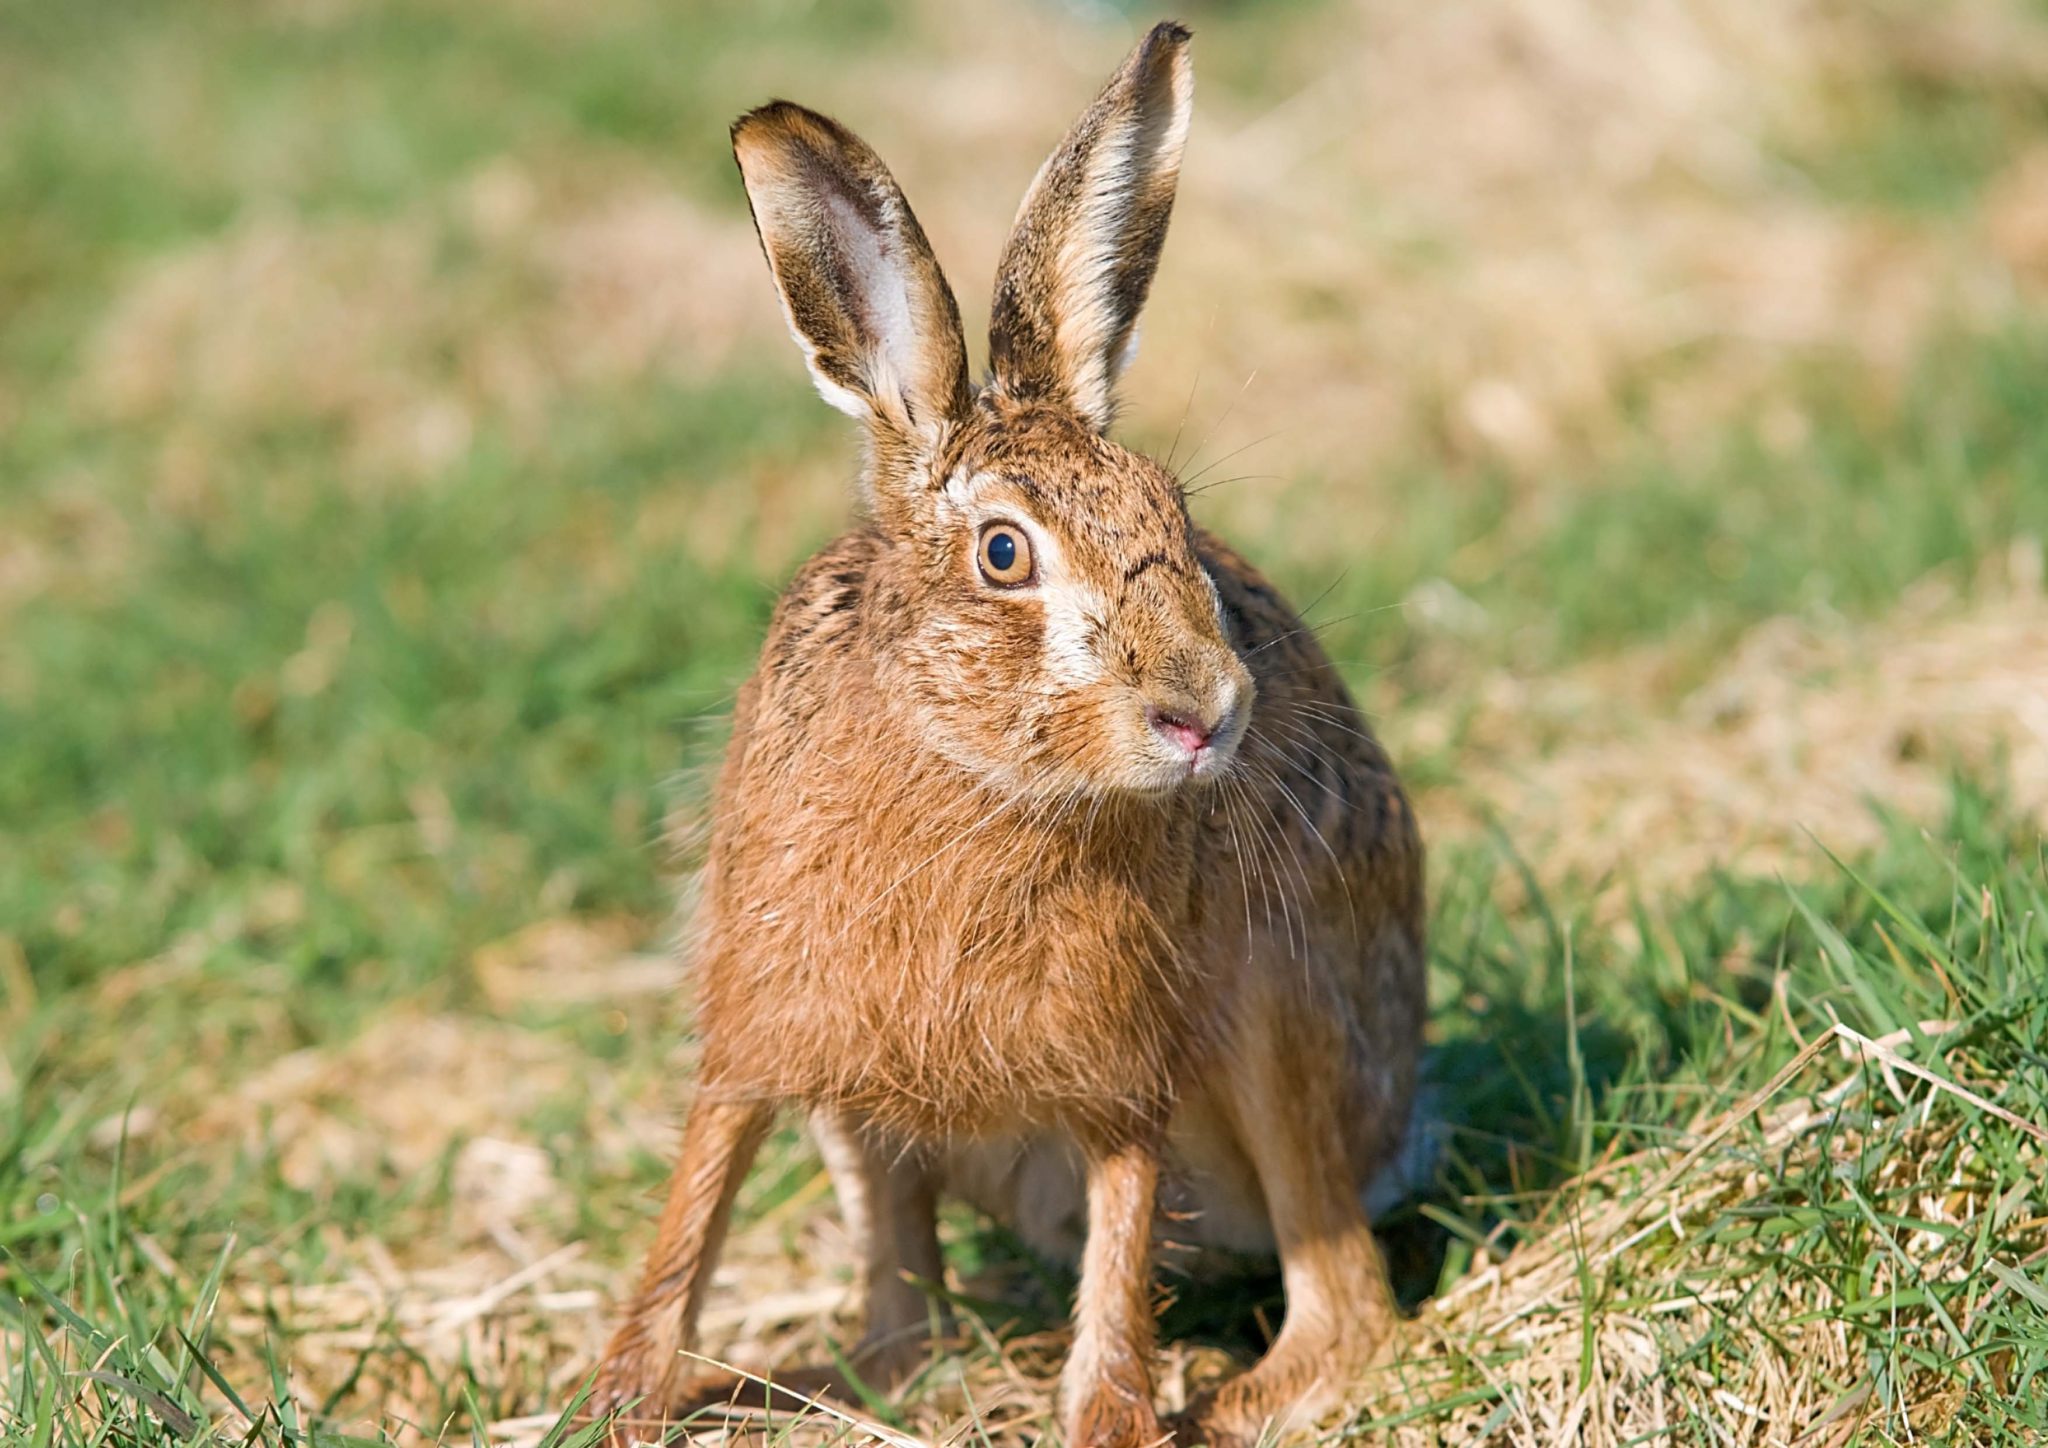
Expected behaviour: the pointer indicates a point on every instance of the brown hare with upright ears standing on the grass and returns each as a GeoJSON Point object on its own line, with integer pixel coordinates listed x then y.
{"type": "Point", "coordinates": [1046, 826]}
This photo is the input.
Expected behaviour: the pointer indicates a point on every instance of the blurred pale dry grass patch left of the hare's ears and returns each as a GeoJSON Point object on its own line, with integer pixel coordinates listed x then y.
{"type": "Point", "coordinates": [558, 284]}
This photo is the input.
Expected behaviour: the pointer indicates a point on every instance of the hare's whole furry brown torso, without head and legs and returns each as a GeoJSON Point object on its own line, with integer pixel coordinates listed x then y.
{"type": "Point", "coordinates": [888, 935]}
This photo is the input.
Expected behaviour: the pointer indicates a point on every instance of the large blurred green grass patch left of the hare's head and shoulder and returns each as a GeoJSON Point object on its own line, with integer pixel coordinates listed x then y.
{"type": "Point", "coordinates": [329, 658]}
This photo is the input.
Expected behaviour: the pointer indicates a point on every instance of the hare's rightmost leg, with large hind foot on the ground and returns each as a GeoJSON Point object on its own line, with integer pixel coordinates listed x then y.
{"type": "Point", "coordinates": [1287, 1089]}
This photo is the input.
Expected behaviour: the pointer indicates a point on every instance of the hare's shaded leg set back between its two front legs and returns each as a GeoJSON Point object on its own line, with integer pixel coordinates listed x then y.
{"type": "Point", "coordinates": [890, 1203]}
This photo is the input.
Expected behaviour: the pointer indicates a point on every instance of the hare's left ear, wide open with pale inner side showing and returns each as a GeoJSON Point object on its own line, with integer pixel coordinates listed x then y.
{"type": "Point", "coordinates": [861, 288]}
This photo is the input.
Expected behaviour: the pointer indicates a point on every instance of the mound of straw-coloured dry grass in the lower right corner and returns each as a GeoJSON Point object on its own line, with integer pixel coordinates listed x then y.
{"type": "Point", "coordinates": [1590, 1365]}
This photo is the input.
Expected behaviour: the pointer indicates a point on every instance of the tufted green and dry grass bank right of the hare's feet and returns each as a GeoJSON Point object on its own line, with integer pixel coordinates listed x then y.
{"type": "Point", "coordinates": [1734, 1207]}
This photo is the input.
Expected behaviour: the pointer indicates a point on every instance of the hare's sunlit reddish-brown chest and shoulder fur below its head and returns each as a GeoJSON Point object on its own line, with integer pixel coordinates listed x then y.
{"type": "Point", "coordinates": [904, 990]}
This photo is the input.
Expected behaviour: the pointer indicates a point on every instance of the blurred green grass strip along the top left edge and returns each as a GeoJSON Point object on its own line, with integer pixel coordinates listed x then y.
{"type": "Point", "coordinates": [138, 126]}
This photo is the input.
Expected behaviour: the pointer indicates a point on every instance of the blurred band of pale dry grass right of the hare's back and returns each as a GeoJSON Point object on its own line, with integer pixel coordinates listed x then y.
{"type": "Point", "coordinates": [1793, 738]}
